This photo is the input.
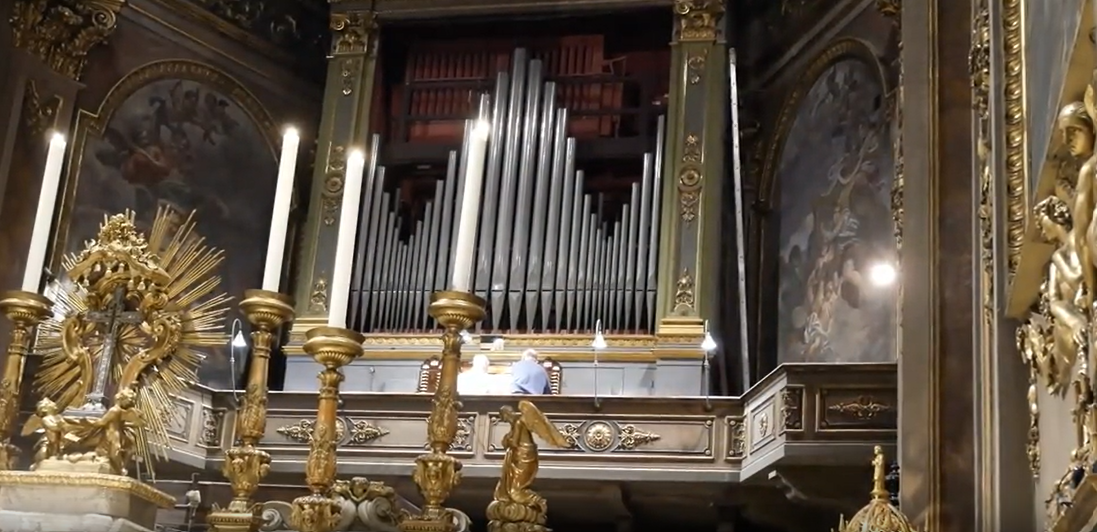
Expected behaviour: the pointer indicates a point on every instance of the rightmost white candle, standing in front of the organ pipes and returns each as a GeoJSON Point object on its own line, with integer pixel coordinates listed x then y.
{"type": "Point", "coordinates": [466, 247]}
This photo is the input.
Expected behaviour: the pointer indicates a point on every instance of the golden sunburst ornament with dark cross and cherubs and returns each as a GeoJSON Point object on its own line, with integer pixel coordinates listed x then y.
{"type": "Point", "coordinates": [133, 318]}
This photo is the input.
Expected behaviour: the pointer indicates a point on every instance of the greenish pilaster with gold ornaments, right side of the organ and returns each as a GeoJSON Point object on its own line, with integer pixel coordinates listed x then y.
{"type": "Point", "coordinates": [697, 117]}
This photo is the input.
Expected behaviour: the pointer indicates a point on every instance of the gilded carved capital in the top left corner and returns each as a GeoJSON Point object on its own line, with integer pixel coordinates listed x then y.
{"type": "Point", "coordinates": [62, 32]}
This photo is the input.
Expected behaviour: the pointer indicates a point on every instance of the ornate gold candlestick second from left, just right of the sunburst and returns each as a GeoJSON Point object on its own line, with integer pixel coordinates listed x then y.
{"type": "Point", "coordinates": [245, 465]}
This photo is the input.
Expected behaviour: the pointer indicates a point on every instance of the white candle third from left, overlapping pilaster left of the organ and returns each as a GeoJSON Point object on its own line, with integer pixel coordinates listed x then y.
{"type": "Point", "coordinates": [345, 243]}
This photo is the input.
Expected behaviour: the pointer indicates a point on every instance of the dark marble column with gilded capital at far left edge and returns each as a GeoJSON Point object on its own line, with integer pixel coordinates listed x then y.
{"type": "Point", "coordinates": [46, 55]}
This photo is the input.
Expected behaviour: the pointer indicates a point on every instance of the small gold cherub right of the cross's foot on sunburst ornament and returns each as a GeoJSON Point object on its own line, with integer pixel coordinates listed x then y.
{"type": "Point", "coordinates": [112, 437]}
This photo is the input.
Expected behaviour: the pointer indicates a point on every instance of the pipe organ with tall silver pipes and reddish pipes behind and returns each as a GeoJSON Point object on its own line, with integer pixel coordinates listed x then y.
{"type": "Point", "coordinates": [552, 255]}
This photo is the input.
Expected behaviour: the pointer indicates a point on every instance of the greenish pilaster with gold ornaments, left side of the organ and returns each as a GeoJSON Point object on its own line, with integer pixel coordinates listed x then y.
{"type": "Point", "coordinates": [345, 126]}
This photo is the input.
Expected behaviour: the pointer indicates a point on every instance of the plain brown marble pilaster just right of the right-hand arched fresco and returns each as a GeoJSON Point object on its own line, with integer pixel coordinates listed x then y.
{"type": "Point", "coordinates": [938, 364]}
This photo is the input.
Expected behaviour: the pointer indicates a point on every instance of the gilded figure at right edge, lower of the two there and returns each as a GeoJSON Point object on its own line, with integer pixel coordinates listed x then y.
{"type": "Point", "coordinates": [1064, 287]}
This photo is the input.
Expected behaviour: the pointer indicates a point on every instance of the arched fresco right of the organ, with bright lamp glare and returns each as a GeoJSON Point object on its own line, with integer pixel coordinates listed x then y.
{"type": "Point", "coordinates": [834, 180]}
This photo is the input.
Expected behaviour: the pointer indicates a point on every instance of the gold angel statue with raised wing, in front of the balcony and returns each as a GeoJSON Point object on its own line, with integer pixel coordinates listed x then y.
{"type": "Point", "coordinates": [516, 507]}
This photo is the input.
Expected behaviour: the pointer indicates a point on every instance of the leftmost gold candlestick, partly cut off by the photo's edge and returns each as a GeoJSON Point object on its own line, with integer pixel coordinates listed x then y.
{"type": "Point", "coordinates": [26, 311]}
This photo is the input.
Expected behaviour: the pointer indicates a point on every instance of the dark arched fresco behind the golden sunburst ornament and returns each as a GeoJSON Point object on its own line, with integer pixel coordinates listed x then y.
{"type": "Point", "coordinates": [182, 137]}
